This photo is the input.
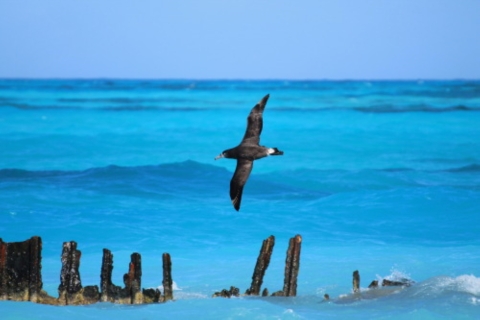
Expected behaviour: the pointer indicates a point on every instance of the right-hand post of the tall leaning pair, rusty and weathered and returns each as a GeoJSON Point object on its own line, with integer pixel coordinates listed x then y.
{"type": "Point", "coordinates": [292, 266]}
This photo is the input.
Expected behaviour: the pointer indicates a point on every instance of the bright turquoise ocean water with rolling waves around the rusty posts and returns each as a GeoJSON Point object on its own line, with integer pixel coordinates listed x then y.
{"type": "Point", "coordinates": [382, 177]}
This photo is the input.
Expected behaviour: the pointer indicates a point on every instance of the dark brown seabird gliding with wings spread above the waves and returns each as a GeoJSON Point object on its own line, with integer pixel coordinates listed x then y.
{"type": "Point", "coordinates": [248, 151]}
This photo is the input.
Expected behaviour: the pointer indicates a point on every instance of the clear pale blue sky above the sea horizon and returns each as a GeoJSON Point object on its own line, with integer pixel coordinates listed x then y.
{"type": "Point", "coordinates": [248, 39]}
